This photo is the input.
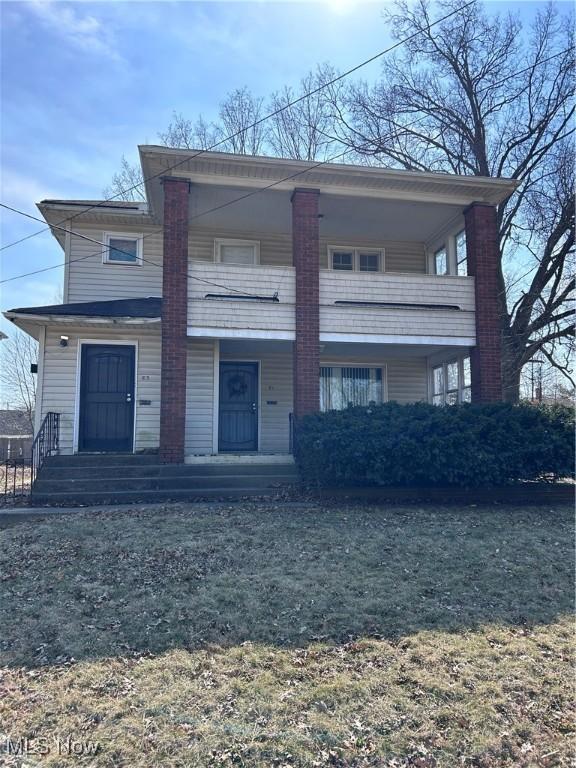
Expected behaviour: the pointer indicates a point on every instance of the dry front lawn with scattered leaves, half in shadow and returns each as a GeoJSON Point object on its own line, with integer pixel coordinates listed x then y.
{"type": "Point", "coordinates": [261, 635]}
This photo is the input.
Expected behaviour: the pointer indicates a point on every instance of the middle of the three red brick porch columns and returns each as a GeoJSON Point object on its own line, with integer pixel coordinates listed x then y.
{"type": "Point", "coordinates": [306, 255]}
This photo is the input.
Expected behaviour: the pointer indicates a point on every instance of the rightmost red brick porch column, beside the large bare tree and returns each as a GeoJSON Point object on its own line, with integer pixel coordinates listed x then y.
{"type": "Point", "coordinates": [482, 254]}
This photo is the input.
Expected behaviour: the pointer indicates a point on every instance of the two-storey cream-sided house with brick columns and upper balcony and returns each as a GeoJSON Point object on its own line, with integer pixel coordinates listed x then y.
{"type": "Point", "coordinates": [247, 291]}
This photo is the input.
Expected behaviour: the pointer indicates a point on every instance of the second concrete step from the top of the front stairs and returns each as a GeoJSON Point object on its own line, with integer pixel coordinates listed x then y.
{"type": "Point", "coordinates": [73, 472]}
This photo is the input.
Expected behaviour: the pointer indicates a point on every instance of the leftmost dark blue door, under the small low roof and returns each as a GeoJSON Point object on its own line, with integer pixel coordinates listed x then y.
{"type": "Point", "coordinates": [106, 398]}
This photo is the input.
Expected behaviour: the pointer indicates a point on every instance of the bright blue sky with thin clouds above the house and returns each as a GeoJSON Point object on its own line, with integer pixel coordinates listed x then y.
{"type": "Point", "coordinates": [83, 83]}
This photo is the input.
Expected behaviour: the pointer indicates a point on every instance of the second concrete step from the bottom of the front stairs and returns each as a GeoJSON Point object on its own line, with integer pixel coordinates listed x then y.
{"type": "Point", "coordinates": [46, 483]}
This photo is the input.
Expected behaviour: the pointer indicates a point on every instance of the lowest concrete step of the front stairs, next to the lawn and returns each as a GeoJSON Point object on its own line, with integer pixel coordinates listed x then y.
{"type": "Point", "coordinates": [85, 498]}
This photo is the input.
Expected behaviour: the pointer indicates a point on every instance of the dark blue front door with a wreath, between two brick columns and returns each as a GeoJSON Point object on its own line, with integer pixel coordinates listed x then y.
{"type": "Point", "coordinates": [238, 409]}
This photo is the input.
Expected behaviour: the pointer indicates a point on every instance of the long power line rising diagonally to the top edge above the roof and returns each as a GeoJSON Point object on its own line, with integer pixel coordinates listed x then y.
{"type": "Point", "coordinates": [242, 131]}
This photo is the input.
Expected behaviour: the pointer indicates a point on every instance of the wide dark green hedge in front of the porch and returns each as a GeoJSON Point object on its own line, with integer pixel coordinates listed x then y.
{"type": "Point", "coordinates": [420, 444]}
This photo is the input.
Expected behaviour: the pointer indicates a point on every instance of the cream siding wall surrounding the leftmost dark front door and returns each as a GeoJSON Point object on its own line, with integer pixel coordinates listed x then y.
{"type": "Point", "coordinates": [60, 377]}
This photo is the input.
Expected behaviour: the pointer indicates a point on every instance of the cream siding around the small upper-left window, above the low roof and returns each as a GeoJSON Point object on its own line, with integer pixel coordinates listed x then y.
{"type": "Point", "coordinates": [91, 280]}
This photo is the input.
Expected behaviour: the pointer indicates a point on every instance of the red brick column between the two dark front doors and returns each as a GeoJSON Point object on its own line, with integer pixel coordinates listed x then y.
{"type": "Point", "coordinates": [174, 320]}
